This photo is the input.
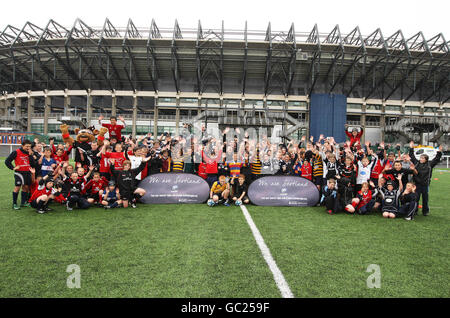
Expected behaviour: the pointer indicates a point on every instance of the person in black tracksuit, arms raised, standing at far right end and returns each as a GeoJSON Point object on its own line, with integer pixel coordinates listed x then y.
{"type": "Point", "coordinates": [422, 179]}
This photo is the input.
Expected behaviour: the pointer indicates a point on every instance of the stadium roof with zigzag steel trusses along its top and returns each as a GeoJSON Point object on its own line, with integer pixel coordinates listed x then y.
{"type": "Point", "coordinates": [224, 61]}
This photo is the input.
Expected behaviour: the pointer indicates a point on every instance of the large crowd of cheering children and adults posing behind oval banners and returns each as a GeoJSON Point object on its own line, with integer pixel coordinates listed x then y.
{"type": "Point", "coordinates": [352, 177]}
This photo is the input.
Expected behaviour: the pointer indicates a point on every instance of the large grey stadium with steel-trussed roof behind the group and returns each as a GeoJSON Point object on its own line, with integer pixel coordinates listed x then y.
{"type": "Point", "coordinates": [158, 78]}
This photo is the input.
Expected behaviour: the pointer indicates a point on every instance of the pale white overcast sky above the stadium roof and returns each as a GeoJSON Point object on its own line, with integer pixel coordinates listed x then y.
{"type": "Point", "coordinates": [430, 17]}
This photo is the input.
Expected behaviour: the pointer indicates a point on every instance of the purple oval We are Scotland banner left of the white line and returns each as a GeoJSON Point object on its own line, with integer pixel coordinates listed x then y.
{"type": "Point", "coordinates": [174, 188]}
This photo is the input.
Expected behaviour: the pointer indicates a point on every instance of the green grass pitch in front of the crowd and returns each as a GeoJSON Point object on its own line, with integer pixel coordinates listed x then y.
{"type": "Point", "coordinates": [197, 251]}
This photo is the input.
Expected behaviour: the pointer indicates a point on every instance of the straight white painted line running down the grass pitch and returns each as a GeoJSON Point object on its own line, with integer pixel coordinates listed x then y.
{"type": "Point", "coordinates": [277, 275]}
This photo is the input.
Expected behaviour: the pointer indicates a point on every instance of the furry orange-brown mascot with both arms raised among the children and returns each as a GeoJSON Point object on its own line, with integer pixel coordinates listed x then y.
{"type": "Point", "coordinates": [82, 144]}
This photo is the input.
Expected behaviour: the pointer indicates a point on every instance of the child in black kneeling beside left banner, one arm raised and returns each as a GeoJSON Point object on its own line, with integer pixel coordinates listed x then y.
{"type": "Point", "coordinates": [126, 181]}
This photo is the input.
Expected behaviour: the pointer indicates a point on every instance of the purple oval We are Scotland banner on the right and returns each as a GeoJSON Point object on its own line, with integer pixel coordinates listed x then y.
{"type": "Point", "coordinates": [283, 191]}
